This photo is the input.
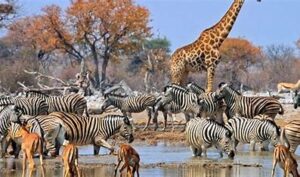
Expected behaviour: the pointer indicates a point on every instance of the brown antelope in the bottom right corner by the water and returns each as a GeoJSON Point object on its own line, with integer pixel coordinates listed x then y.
{"type": "Point", "coordinates": [286, 161]}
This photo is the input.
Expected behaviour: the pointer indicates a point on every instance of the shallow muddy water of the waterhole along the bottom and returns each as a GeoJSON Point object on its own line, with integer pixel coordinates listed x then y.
{"type": "Point", "coordinates": [160, 161]}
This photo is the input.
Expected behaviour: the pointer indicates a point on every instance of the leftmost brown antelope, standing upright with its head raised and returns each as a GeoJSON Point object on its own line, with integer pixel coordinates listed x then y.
{"type": "Point", "coordinates": [31, 143]}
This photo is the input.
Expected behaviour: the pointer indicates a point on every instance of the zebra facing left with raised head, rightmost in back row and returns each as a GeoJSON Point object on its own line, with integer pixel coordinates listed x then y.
{"type": "Point", "coordinates": [247, 107]}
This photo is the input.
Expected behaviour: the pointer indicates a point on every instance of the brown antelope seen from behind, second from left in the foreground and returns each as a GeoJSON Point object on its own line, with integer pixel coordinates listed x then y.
{"type": "Point", "coordinates": [70, 160]}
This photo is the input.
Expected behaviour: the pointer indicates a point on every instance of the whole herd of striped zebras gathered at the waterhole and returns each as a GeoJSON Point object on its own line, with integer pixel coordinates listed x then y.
{"type": "Point", "coordinates": [218, 119]}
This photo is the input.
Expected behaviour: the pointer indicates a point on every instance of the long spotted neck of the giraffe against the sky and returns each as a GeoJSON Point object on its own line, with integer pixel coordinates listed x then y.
{"type": "Point", "coordinates": [219, 32]}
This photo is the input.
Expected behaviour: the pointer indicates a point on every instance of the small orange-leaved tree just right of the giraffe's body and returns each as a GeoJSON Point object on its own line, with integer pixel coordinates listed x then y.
{"type": "Point", "coordinates": [238, 56]}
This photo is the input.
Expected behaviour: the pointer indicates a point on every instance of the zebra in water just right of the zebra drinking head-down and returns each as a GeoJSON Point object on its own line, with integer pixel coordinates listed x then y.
{"type": "Point", "coordinates": [253, 131]}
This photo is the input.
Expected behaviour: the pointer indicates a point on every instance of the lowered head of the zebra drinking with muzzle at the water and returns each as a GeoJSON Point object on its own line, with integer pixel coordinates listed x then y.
{"type": "Point", "coordinates": [226, 143]}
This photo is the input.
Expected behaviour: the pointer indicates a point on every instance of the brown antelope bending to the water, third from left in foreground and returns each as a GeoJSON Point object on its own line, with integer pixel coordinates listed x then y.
{"type": "Point", "coordinates": [131, 158]}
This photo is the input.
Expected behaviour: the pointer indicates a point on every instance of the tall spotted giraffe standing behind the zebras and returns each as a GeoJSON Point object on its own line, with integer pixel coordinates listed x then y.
{"type": "Point", "coordinates": [203, 54]}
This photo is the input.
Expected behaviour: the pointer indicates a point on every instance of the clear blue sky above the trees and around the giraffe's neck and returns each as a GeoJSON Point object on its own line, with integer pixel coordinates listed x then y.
{"type": "Point", "coordinates": [181, 21]}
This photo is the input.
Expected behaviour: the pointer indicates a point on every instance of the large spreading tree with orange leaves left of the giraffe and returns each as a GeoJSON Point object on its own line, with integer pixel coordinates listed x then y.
{"type": "Point", "coordinates": [91, 29]}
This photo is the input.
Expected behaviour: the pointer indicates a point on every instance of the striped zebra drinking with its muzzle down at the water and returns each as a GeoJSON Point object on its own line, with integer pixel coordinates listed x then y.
{"type": "Point", "coordinates": [204, 133]}
